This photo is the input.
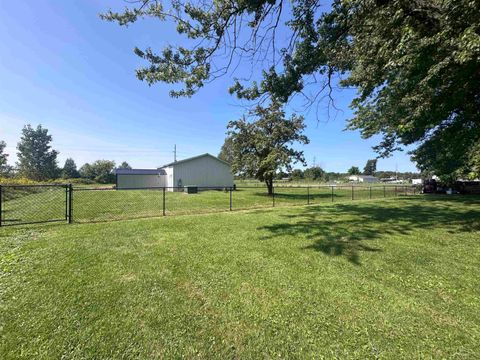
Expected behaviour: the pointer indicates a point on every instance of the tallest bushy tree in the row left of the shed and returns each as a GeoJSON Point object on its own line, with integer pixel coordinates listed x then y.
{"type": "Point", "coordinates": [36, 159]}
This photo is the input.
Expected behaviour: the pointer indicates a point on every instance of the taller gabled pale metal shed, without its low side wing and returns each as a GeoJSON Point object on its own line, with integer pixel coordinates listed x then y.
{"type": "Point", "coordinates": [203, 171]}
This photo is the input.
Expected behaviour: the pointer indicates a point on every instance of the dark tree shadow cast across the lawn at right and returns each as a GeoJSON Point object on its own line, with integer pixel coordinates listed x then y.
{"type": "Point", "coordinates": [345, 229]}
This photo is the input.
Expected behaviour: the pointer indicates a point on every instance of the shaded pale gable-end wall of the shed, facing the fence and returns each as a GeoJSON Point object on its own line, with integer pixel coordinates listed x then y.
{"type": "Point", "coordinates": [203, 171]}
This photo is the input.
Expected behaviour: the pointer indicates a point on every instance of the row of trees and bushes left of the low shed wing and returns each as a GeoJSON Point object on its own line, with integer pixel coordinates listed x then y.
{"type": "Point", "coordinates": [37, 161]}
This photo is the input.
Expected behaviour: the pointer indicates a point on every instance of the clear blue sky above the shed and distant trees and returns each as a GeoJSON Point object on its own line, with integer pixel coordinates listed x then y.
{"type": "Point", "coordinates": [64, 68]}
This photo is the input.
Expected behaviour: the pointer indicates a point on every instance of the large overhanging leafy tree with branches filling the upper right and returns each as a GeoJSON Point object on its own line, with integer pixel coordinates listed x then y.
{"type": "Point", "coordinates": [414, 63]}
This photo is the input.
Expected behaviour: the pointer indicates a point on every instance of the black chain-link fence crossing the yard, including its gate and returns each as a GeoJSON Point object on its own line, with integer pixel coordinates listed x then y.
{"type": "Point", "coordinates": [44, 203]}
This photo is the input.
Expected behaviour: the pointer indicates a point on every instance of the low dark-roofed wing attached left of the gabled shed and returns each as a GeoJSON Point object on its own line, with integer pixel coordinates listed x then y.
{"type": "Point", "coordinates": [139, 178]}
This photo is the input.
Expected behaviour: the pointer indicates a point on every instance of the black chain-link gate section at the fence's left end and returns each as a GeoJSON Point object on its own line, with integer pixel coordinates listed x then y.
{"type": "Point", "coordinates": [29, 204]}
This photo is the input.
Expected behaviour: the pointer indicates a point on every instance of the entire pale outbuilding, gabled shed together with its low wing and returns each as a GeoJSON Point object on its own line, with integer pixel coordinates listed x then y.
{"type": "Point", "coordinates": [203, 171]}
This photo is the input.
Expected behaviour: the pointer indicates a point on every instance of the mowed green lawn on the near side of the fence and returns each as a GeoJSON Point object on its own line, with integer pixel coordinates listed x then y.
{"type": "Point", "coordinates": [393, 279]}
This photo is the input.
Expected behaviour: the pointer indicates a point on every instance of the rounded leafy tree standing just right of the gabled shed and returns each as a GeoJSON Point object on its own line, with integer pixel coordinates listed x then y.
{"type": "Point", "coordinates": [263, 146]}
